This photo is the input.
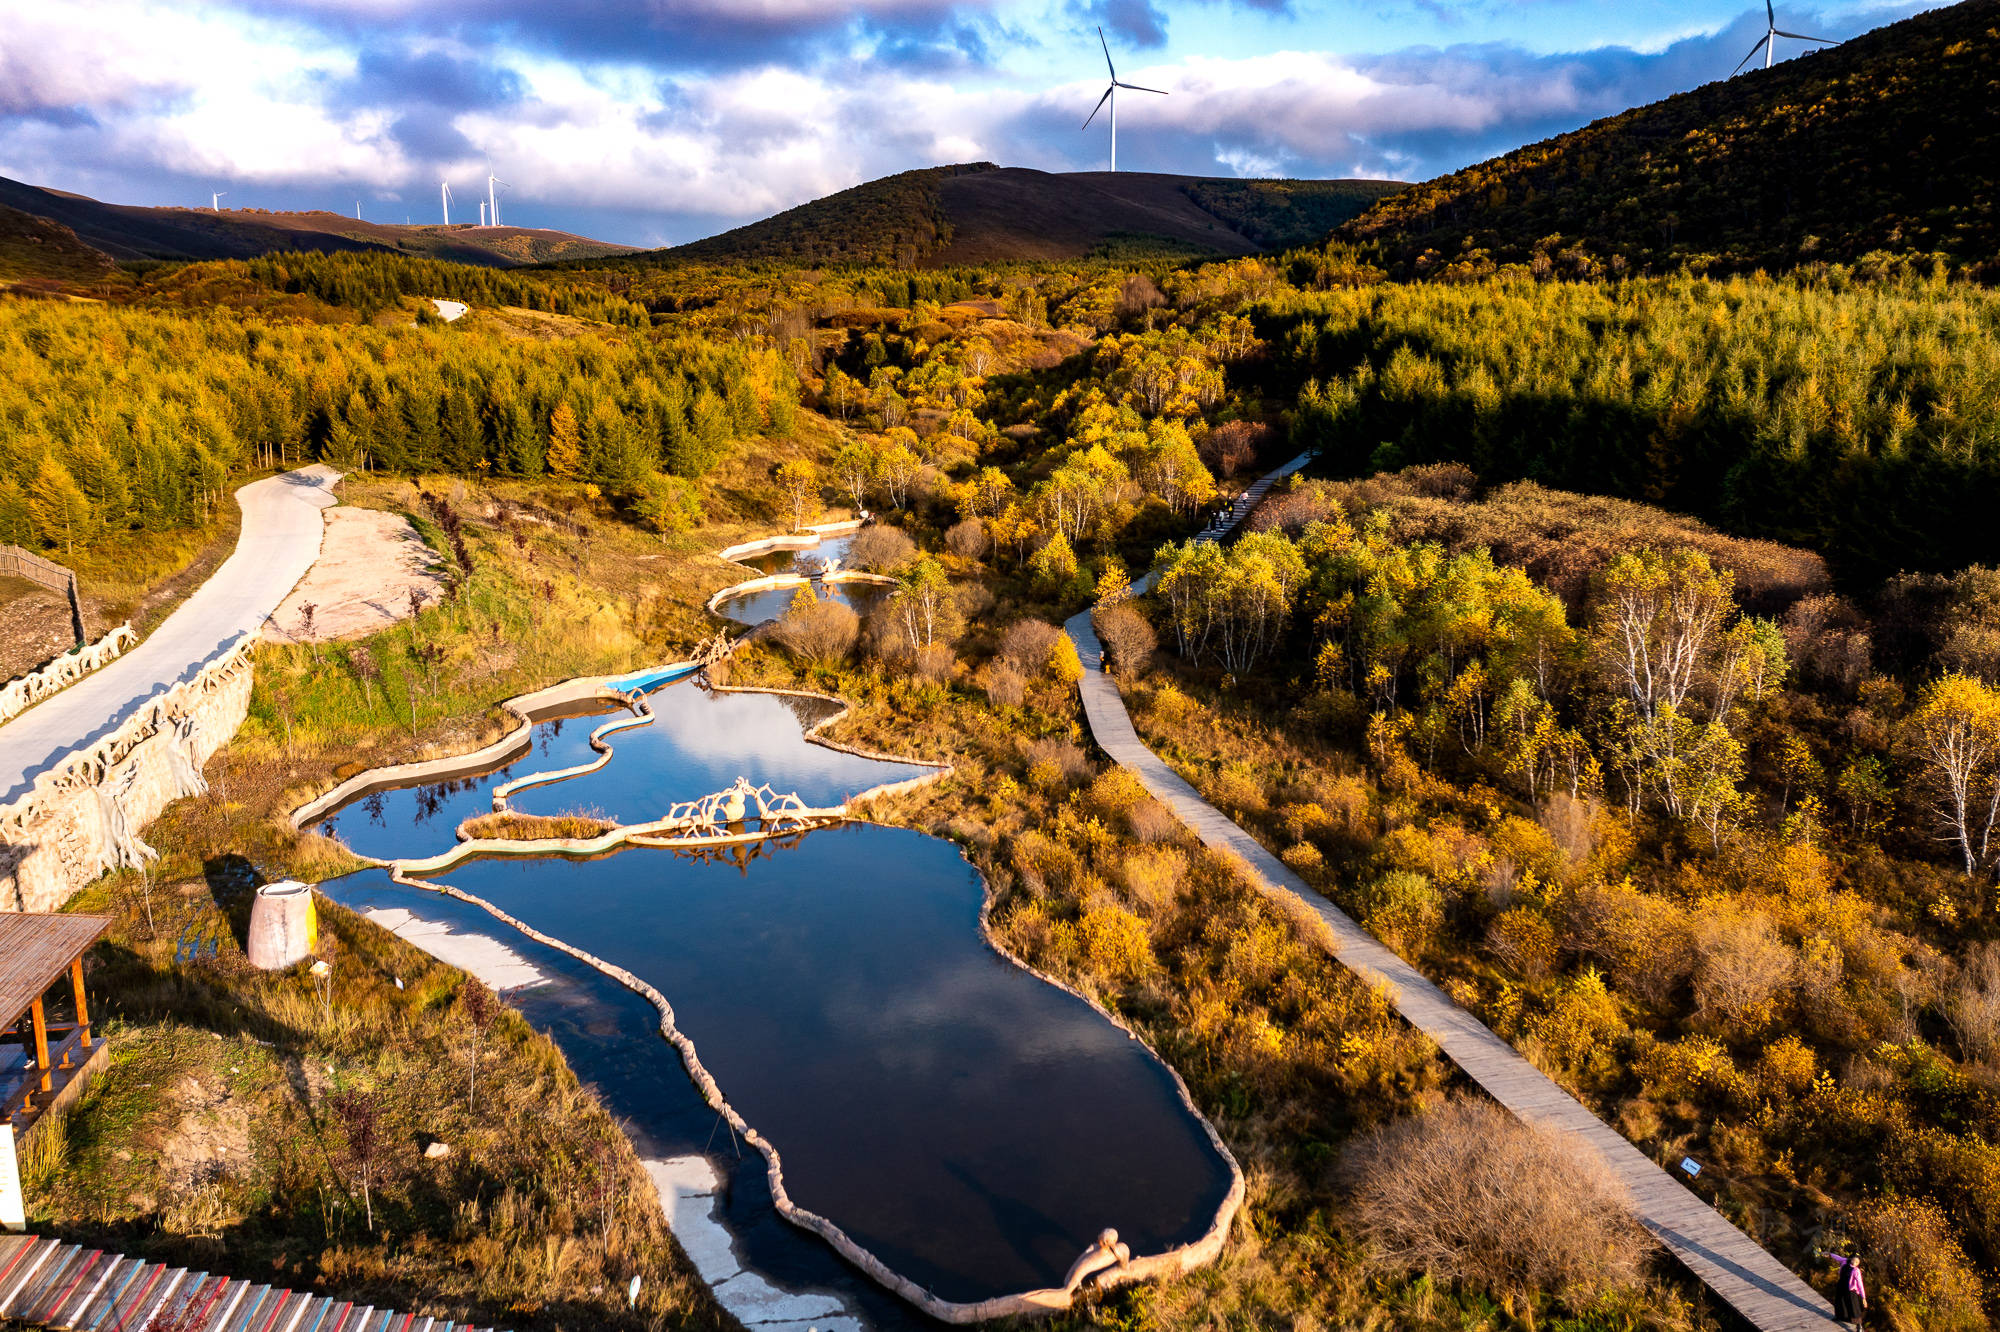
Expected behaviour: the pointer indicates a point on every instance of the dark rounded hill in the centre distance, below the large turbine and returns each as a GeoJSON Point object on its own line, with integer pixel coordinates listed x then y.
{"type": "Point", "coordinates": [983, 213]}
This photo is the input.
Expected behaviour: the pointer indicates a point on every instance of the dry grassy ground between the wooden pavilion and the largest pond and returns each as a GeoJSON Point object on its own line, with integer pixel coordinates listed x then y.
{"type": "Point", "coordinates": [211, 1139]}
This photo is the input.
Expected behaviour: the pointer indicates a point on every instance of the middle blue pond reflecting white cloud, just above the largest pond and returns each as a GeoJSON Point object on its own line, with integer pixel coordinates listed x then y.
{"type": "Point", "coordinates": [699, 743]}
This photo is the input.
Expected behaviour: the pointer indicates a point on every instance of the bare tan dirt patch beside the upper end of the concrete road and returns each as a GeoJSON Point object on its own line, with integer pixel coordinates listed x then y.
{"type": "Point", "coordinates": [369, 569]}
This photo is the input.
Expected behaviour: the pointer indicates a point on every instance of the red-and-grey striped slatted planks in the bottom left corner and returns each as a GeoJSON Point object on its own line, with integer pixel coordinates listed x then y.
{"type": "Point", "coordinates": [53, 1285]}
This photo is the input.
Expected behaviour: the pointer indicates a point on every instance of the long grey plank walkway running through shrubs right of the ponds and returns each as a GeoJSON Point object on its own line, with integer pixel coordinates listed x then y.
{"type": "Point", "coordinates": [1723, 1257]}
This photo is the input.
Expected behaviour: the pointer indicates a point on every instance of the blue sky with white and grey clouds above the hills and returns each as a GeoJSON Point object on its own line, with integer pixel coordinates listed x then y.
{"type": "Point", "coordinates": [661, 121]}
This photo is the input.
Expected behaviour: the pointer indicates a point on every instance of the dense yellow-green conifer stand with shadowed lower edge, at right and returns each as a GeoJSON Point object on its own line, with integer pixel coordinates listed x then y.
{"type": "Point", "coordinates": [1851, 417]}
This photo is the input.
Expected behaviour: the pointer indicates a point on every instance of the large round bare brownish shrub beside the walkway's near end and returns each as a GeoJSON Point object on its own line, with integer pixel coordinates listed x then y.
{"type": "Point", "coordinates": [1469, 1193]}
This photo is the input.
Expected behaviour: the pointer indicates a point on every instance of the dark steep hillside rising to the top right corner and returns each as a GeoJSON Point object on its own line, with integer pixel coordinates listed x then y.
{"type": "Point", "coordinates": [1885, 143]}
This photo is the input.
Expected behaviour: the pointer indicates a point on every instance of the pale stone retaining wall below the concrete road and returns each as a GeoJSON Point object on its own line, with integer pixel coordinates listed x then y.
{"type": "Point", "coordinates": [83, 817]}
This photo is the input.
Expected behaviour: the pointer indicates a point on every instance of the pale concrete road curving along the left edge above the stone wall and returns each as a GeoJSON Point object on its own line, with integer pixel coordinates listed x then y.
{"type": "Point", "coordinates": [281, 539]}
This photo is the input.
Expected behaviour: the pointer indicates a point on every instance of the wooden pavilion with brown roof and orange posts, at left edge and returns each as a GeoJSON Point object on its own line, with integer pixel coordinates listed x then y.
{"type": "Point", "coordinates": [43, 1063]}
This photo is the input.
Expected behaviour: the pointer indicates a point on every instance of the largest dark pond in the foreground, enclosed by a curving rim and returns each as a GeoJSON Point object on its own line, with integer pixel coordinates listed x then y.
{"type": "Point", "coordinates": [967, 1123]}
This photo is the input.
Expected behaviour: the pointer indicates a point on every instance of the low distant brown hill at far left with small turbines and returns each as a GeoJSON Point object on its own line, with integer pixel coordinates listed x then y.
{"type": "Point", "coordinates": [131, 233]}
